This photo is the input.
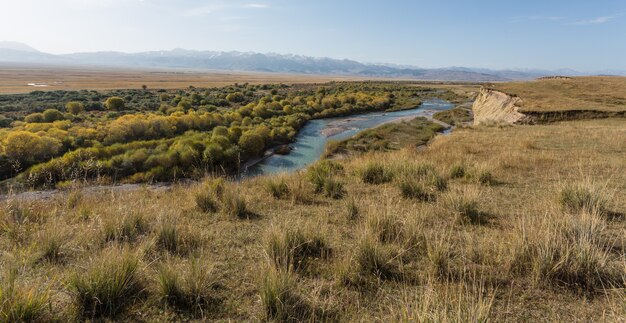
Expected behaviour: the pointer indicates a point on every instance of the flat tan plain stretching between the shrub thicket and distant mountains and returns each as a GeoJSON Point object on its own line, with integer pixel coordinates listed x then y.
{"type": "Point", "coordinates": [15, 79]}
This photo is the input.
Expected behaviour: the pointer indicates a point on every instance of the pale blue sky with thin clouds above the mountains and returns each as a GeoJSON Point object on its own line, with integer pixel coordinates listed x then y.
{"type": "Point", "coordinates": [542, 34]}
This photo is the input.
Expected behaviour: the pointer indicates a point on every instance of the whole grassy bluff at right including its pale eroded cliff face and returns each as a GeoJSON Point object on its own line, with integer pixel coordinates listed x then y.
{"type": "Point", "coordinates": [551, 99]}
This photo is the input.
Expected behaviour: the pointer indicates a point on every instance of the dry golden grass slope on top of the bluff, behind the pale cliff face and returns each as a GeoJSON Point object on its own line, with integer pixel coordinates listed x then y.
{"type": "Point", "coordinates": [577, 93]}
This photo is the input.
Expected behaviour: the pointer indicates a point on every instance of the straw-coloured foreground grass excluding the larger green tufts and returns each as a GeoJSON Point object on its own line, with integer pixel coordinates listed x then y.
{"type": "Point", "coordinates": [448, 267]}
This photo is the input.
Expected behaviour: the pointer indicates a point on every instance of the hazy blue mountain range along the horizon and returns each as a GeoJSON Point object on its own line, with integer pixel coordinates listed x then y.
{"type": "Point", "coordinates": [14, 52]}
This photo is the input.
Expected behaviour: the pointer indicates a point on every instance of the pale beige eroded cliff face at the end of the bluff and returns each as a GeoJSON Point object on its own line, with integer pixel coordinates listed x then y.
{"type": "Point", "coordinates": [493, 106]}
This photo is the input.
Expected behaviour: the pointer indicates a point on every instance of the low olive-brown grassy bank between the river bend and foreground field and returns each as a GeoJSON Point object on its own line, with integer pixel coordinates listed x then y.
{"type": "Point", "coordinates": [391, 136]}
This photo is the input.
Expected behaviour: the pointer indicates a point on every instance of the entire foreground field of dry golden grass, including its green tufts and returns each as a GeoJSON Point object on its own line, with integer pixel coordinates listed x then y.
{"type": "Point", "coordinates": [520, 223]}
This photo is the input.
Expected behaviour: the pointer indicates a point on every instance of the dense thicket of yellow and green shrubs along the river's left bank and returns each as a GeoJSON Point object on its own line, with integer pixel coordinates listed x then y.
{"type": "Point", "coordinates": [144, 135]}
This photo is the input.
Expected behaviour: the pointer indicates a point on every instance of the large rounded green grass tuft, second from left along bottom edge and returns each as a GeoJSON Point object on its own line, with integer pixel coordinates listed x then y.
{"type": "Point", "coordinates": [107, 286]}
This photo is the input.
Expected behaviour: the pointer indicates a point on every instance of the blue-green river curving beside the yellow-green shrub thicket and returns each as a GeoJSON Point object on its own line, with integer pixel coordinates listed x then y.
{"type": "Point", "coordinates": [312, 138]}
